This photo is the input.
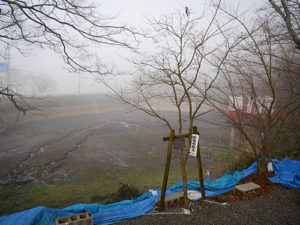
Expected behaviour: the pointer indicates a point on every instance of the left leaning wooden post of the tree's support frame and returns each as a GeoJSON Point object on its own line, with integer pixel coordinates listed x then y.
{"type": "Point", "coordinates": [166, 173]}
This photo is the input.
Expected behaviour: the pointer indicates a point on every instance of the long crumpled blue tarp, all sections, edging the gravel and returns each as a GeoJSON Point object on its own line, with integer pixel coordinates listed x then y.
{"type": "Point", "coordinates": [287, 172]}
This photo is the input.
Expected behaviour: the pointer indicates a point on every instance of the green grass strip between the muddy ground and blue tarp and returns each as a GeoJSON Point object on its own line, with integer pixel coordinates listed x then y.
{"type": "Point", "coordinates": [101, 185]}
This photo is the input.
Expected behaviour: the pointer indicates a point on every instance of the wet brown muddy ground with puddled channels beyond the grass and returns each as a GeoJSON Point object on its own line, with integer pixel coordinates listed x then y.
{"type": "Point", "coordinates": [70, 136]}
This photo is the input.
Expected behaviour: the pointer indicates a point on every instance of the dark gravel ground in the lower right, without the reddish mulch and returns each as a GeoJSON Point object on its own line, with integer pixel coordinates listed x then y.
{"type": "Point", "coordinates": [281, 206]}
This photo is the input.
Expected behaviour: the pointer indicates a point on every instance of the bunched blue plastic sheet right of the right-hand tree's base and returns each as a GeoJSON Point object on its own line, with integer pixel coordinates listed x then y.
{"type": "Point", "coordinates": [287, 173]}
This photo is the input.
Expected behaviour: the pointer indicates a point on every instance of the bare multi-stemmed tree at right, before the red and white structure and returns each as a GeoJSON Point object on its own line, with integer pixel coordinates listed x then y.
{"type": "Point", "coordinates": [258, 93]}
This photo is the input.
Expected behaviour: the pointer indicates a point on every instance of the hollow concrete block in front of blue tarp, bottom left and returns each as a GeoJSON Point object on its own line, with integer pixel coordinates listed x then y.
{"type": "Point", "coordinates": [78, 219]}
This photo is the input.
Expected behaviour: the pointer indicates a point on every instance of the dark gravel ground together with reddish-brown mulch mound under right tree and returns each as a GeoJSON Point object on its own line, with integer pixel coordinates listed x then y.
{"type": "Point", "coordinates": [271, 204]}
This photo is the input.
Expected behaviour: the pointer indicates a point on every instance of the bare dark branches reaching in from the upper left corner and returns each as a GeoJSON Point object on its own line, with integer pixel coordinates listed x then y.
{"type": "Point", "coordinates": [71, 28]}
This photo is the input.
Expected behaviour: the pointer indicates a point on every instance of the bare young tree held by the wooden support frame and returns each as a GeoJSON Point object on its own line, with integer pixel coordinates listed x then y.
{"type": "Point", "coordinates": [176, 69]}
